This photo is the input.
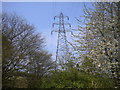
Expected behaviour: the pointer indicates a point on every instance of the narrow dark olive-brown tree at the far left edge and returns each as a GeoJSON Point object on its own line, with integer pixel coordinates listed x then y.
{"type": "Point", "coordinates": [6, 57]}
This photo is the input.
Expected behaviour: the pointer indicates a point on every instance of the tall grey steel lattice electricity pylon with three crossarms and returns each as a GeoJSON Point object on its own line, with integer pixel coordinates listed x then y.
{"type": "Point", "coordinates": [62, 54]}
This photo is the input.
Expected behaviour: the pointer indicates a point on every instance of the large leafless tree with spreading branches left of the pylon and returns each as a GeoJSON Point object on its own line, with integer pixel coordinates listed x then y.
{"type": "Point", "coordinates": [22, 48]}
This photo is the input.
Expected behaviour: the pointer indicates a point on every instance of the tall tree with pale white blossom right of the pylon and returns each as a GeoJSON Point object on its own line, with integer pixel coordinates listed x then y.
{"type": "Point", "coordinates": [100, 39]}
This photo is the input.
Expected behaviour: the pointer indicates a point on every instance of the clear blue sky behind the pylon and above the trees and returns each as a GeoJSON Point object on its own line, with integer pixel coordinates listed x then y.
{"type": "Point", "coordinates": [41, 14]}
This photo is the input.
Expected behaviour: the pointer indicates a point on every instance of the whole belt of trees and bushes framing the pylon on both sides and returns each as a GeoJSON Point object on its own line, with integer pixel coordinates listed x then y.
{"type": "Point", "coordinates": [94, 56]}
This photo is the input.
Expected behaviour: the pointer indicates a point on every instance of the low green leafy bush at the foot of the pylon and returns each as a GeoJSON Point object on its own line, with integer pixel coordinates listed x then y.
{"type": "Point", "coordinates": [74, 78]}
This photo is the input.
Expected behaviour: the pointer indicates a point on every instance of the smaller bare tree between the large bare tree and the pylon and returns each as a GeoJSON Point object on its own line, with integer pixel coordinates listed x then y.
{"type": "Point", "coordinates": [39, 66]}
